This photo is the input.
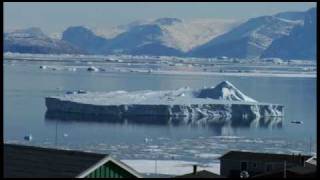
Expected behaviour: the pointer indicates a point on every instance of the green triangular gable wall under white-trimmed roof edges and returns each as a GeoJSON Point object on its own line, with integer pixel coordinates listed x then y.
{"type": "Point", "coordinates": [110, 170]}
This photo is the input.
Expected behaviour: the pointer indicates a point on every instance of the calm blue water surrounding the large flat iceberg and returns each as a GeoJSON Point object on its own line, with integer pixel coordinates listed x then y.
{"type": "Point", "coordinates": [26, 86]}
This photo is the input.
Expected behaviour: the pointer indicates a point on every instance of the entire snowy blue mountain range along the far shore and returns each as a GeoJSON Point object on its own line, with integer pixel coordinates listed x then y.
{"type": "Point", "coordinates": [287, 35]}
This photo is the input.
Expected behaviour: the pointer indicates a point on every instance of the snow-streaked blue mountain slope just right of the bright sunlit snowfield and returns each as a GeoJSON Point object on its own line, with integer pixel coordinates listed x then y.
{"type": "Point", "coordinates": [248, 40]}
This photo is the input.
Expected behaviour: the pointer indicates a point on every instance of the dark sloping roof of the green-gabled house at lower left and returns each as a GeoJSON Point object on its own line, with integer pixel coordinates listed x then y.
{"type": "Point", "coordinates": [28, 161]}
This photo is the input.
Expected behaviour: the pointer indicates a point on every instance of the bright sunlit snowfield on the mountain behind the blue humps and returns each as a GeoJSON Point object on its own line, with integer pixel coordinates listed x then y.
{"type": "Point", "coordinates": [176, 33]}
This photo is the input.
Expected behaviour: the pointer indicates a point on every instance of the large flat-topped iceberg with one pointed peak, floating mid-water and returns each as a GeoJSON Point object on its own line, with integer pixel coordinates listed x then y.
{"type": "Point", "coordinates": [223, 101]}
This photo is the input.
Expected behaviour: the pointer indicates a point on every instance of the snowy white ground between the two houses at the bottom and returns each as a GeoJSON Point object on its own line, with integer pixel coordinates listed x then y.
{"type": "Point", "coordinates": [169, 167]}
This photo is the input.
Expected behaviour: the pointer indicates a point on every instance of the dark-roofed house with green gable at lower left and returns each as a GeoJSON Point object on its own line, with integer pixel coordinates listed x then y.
{"type": "Point", "coordinates": [29, 161]}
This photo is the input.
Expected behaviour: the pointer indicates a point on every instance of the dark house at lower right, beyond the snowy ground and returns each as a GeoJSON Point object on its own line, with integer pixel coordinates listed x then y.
{"type": "Point", "coordinates": [235, 162]}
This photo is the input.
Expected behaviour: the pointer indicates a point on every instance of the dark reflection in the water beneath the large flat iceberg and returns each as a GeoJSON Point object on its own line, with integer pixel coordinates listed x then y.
{"type": "Point", "coordinates": [264, 122]}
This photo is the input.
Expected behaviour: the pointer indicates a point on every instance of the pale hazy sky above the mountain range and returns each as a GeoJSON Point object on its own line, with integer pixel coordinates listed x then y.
{"type": "Point", "coordinates": [56, 16]}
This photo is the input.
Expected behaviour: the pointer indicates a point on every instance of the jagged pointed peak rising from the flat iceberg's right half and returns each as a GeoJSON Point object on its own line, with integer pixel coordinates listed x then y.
{"type": "Point", "coordinates": [224, 91]}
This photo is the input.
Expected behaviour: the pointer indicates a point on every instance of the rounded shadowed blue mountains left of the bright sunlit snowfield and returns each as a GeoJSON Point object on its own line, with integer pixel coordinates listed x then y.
{"type": "Point", "coordinates": [134, 39]}
